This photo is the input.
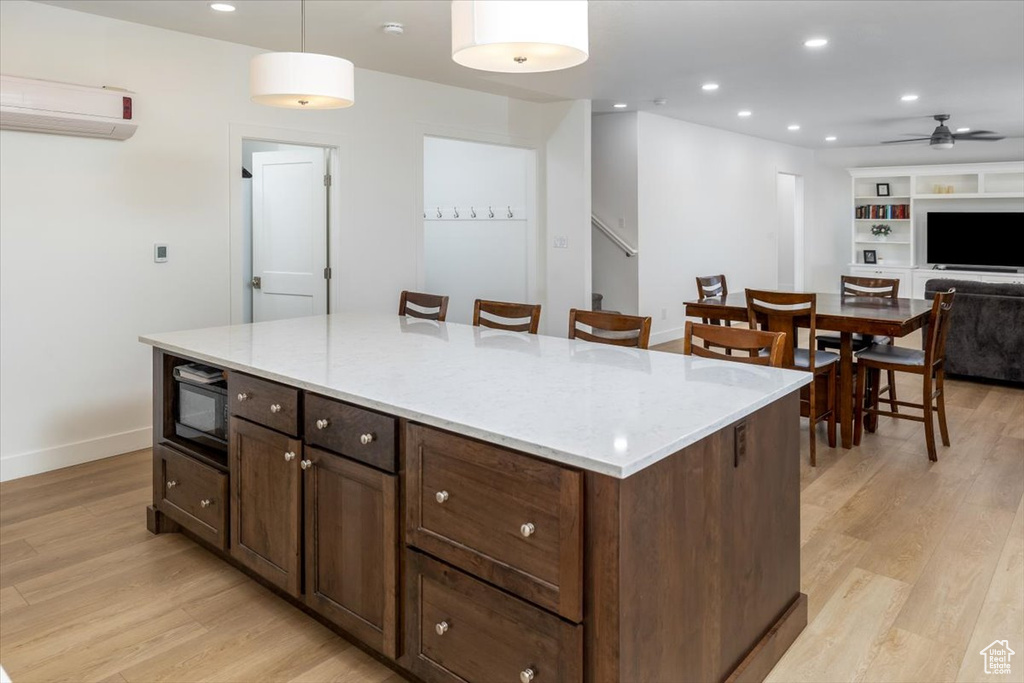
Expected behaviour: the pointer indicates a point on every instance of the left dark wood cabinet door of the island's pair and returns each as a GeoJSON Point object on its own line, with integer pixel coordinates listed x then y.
{"type": "Point", "coordinates": [266, 503]}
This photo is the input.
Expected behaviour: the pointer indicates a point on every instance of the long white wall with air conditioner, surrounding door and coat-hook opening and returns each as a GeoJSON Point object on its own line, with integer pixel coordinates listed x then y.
{"type": "Point", "coordinates": [77, 279]}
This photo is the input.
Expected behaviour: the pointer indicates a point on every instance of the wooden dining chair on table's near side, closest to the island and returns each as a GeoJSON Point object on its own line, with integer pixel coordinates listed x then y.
{"type": "Point", "coordinates": [788, 312]}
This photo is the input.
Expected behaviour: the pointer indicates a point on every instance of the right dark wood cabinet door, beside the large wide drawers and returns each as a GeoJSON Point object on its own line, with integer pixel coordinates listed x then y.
{"type": "Point", "coordinates": [352, 547]}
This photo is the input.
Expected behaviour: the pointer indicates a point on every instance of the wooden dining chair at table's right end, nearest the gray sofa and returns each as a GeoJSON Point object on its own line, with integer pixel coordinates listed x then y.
{"type": "Point", "coordinates": [929, 364]}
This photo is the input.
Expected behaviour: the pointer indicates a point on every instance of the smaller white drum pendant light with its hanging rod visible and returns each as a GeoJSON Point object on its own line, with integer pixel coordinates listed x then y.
{"type": "Point", "coordinates": [303, 80]}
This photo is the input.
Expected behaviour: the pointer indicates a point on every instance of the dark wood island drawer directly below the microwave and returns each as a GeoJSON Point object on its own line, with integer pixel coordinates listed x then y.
{"type": "Point", "coordinates": [192, 494]}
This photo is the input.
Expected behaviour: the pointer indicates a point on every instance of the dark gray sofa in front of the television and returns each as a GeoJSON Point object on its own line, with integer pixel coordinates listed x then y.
{"type": "Point", "coordinates": [987, 329]}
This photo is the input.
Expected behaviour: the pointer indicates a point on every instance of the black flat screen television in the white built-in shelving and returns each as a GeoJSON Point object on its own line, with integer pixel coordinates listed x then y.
{"type": "Point", "coordinates": [975, 239]}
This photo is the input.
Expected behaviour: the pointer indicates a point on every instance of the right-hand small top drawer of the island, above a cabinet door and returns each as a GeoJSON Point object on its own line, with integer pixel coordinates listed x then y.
{"type": "Point", "coordinates": [353, 432]}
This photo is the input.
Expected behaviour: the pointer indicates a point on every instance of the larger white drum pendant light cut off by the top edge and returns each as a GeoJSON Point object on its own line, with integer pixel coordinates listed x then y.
{"type": "Point", "coordinates": [520, 36]}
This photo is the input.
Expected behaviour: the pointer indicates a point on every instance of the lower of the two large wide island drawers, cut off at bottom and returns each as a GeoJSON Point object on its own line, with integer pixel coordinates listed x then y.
{"type": "Point", "coordinates": [460, 630]}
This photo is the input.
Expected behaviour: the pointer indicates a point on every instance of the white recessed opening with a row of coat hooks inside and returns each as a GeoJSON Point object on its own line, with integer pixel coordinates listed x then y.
{"type": "Point", "coordinates": [479, 227]}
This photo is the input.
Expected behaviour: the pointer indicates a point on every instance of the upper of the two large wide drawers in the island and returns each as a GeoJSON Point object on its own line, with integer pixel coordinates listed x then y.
{"type": "Point", "coordinates": [508, 519]}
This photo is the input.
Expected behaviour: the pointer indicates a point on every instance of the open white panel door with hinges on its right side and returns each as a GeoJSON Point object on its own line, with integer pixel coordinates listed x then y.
{"type": "Point", "coordinates": [289, 235]}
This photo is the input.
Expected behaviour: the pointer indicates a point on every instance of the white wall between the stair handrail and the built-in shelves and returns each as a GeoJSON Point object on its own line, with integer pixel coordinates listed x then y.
{"type": "Point", "coordinates": [708, 205]}
